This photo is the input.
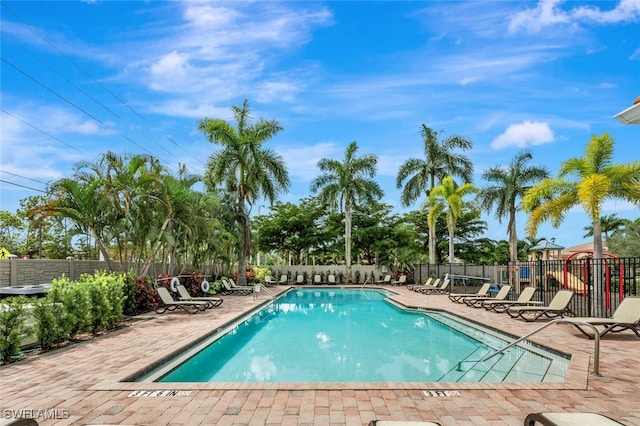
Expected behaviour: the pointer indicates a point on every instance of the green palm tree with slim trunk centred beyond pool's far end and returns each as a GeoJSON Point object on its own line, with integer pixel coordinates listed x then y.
{"type": "Point", "coordinates": [343, 185]}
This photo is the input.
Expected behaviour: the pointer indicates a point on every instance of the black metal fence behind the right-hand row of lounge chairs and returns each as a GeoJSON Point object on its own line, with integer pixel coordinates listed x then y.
{"type": "Point", "coordinates": [599, 284]}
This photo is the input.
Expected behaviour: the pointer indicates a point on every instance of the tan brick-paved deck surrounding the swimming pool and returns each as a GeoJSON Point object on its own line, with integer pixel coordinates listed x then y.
{"type": "Point", "coordinates": [83, 383]}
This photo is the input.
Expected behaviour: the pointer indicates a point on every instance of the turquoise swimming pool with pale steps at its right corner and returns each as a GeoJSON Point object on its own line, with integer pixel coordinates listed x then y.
{"type": "Point", "coordinates": [355, 335]}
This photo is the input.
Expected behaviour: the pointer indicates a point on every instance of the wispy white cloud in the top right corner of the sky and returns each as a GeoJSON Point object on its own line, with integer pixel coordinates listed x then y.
{"type": "Point", "coordinates": [548, 13]}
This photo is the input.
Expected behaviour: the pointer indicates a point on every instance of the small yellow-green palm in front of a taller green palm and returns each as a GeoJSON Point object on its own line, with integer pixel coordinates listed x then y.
{"type": "Point", "coordinates": [448, 197]}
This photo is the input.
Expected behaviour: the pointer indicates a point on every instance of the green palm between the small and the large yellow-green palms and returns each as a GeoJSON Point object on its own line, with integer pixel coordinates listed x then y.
{"type": "Point", "coordinates": [509, 185]}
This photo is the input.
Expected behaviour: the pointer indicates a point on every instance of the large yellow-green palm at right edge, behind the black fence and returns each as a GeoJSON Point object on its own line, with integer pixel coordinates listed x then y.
{"type": "Point", "coordinates": [588, 181]}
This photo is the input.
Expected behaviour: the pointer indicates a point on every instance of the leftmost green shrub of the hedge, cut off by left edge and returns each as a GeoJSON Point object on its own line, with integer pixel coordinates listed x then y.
{"type": "Point", "coordinates": [13, 326]}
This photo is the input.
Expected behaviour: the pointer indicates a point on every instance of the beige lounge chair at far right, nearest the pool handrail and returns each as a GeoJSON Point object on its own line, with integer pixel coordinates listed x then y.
{"type": "Point", "coordinates": [625, 317]}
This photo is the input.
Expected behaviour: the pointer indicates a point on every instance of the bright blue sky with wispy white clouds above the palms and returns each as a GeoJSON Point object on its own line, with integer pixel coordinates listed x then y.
{"type": "Point", "coordinates": [79, 78]}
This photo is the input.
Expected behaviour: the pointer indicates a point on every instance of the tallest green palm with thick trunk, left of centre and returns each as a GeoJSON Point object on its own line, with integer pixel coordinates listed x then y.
{"type": "Point", "coordinates": [244, 167]}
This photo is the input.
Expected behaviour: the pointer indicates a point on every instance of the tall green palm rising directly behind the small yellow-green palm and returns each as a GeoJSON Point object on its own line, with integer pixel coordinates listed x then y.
{"type": "Point", "coordinates": [422, 174]}
